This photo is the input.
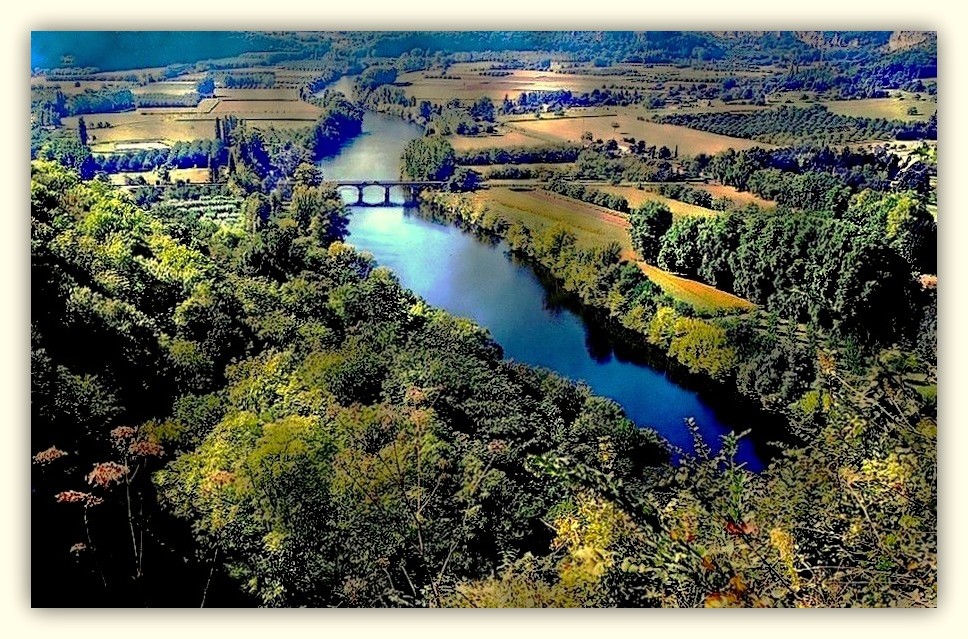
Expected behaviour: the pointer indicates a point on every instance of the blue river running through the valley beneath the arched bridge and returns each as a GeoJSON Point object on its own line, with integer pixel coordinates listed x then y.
{"type": "Point", "coordinates": [454, 270]}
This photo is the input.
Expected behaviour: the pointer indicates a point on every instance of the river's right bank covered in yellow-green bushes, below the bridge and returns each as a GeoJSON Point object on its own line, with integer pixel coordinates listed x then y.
{"type": "Point", "coordinates": [621, 299]}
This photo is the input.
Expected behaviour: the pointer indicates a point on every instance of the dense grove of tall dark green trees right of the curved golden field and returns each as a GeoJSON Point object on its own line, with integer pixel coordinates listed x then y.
{"type": "Point", "coordinates": [849, 273]}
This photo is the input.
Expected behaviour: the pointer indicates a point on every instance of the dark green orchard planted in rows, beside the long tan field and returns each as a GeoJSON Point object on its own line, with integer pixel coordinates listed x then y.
{"type": "Point", "coordinates": [813, 125]}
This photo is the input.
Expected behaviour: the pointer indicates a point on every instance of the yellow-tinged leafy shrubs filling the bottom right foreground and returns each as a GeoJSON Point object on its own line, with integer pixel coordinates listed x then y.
{"type": "Point", "coordinates": [710, 534]}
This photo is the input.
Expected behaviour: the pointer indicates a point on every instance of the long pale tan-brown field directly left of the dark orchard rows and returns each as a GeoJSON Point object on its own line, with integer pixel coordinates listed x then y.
{"type": "Point", "coordinates": [689, 141]}
